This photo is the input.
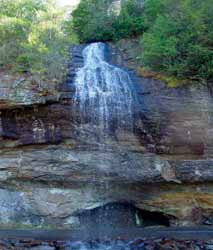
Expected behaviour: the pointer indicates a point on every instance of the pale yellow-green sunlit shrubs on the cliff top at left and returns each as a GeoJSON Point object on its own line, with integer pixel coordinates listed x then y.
{"type": "Point", "coordinates": [33, 38]}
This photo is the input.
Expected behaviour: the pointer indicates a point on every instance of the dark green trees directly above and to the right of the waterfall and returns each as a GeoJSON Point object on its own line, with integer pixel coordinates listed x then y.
{"type": "Point", "coordinates": [176, 36]}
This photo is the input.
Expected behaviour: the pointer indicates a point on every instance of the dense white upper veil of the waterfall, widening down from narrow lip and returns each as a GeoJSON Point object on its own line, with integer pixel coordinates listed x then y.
{"type": "Point", "coordinates": [103, 97]}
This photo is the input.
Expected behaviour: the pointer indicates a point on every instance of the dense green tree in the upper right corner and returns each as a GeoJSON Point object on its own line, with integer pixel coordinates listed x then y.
{"type": "Point", "coordinates": [179, 40]}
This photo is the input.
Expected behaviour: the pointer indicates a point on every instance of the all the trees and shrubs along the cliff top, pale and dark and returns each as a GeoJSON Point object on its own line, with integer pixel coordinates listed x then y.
{"type": "Point", "coordinates": [176, 36]}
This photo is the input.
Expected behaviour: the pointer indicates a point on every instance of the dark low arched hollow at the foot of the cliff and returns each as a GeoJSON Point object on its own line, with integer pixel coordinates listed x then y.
{"type": "Point", "coordinates": [119, 214]}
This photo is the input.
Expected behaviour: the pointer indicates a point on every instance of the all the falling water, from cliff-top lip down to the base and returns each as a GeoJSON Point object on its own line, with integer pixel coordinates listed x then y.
{"type": "Point", "coordinates": [104, 107]}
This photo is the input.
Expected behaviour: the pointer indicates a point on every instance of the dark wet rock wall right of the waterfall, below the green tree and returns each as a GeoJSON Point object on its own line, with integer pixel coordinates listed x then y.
{"type": "Point", "coordinates": [178, 120]}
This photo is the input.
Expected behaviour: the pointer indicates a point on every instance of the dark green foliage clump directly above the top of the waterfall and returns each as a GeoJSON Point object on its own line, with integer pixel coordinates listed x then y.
{"type": "Point", "coordinates": [95, 20]}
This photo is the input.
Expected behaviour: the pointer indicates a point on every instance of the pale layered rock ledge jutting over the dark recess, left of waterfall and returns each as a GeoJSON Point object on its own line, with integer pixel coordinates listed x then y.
{"type": "Point", "coordinates": [25, 90]}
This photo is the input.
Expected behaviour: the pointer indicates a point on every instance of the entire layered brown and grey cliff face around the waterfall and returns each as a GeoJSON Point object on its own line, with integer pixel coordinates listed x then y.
{"type": "Point", "coordinates": [49, 178]}
